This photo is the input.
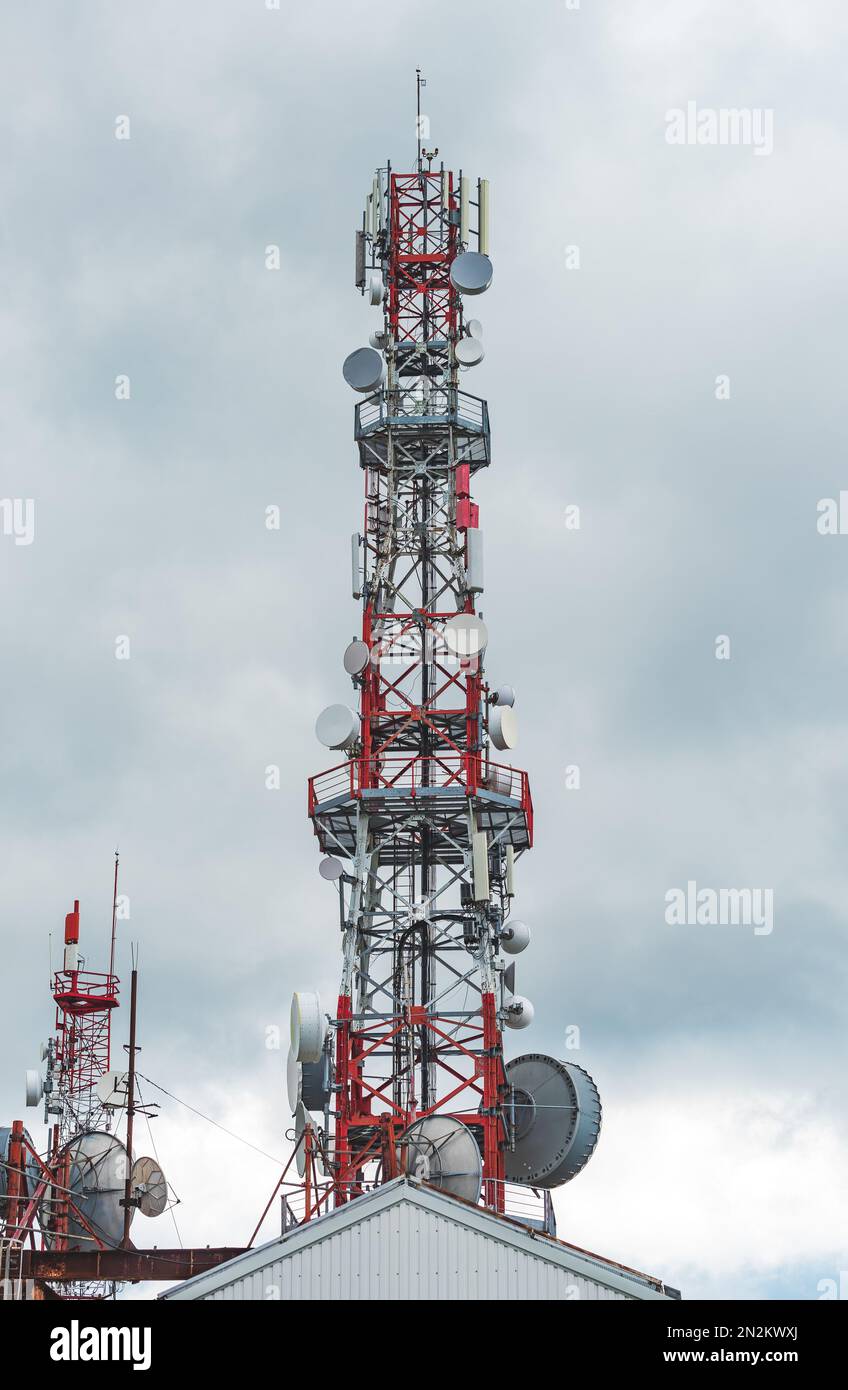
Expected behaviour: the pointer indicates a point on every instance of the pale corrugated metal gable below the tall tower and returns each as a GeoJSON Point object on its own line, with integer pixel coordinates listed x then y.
{"type": "Point", "coordinates": [407, 1241]}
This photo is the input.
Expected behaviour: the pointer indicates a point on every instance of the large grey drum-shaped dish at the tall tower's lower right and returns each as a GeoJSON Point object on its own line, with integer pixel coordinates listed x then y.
{"type": "Point", "coordinates": [558, 1121]}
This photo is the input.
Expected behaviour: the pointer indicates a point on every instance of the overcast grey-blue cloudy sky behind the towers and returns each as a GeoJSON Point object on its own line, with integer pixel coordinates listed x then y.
{"type": "Point", "coordinates": [683, 387]}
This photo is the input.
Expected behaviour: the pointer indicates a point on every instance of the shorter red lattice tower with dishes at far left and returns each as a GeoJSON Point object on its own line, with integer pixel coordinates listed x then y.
{"type": "Point", "coordinates": [63, 1209]}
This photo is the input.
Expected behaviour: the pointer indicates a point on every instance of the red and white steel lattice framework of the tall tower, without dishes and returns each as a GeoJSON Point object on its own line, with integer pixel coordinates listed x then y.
{"type": "Point", "coordinates": [419, 800]}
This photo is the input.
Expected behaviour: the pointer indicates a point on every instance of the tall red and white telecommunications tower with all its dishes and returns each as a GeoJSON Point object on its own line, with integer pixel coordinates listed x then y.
{"type": "Point", "coordinates": [426, 818]}
